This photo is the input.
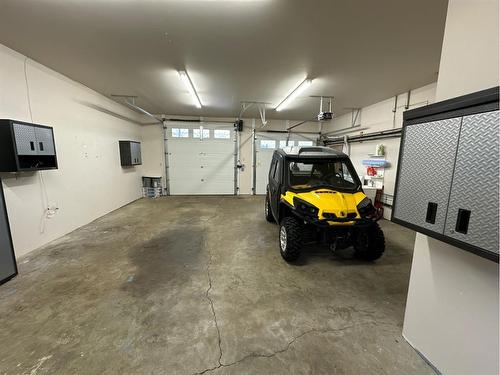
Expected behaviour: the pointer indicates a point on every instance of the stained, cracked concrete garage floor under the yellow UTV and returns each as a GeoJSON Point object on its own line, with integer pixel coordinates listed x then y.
{"type": "Point", "coordinates": [186, 285]}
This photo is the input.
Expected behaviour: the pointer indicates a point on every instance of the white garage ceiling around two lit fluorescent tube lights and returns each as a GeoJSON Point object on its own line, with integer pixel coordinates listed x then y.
{"type": "Point", "coordinates": [234, 50]}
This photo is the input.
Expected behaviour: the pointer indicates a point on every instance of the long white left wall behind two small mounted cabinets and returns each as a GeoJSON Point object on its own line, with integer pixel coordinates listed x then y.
{"type": "Point", "coordinates": [90, 181]}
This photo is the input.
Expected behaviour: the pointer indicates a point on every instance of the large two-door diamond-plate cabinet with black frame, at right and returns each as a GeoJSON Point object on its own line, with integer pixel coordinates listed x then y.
{"type": "Point", "coordinates": [448, 172]}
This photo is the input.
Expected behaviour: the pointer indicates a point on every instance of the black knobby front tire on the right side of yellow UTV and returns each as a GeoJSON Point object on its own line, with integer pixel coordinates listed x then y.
{"type": "Point", "coordinates": [368, 242]}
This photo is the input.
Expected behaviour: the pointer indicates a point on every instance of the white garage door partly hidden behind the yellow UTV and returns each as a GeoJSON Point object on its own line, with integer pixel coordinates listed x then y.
{"type": "Point", "coordinates": [265, 144]}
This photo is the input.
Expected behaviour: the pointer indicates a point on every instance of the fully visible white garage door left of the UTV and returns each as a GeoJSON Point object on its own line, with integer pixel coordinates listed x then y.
{"type": "Point", "coordinates": [201, 159]}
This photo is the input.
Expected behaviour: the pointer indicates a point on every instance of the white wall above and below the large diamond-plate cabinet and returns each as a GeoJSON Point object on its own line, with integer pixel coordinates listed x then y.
{"type": "Point", "coordinates": [452, 308]}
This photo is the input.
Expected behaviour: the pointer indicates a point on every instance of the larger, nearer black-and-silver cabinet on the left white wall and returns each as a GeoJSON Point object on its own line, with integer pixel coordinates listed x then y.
{"type": "Point", "coordinates": [26, 147]}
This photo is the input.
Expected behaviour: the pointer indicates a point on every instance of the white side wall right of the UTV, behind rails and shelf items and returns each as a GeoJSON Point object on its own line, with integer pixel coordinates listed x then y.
{"type": "Point", "coordinates": [380, 117]}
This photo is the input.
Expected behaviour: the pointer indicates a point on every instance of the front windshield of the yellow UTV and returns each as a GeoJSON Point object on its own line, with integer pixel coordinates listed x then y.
{"type": "Point", "coordinates": [306, 175]}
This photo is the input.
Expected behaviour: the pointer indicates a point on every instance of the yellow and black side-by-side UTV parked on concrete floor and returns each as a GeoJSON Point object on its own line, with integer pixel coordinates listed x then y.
{"type": "Point", "coordinates": [315, 195]}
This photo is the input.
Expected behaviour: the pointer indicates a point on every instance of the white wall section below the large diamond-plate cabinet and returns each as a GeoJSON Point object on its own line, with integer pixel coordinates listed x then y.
{"type": "Point", "coordinates": [452, 308]}
